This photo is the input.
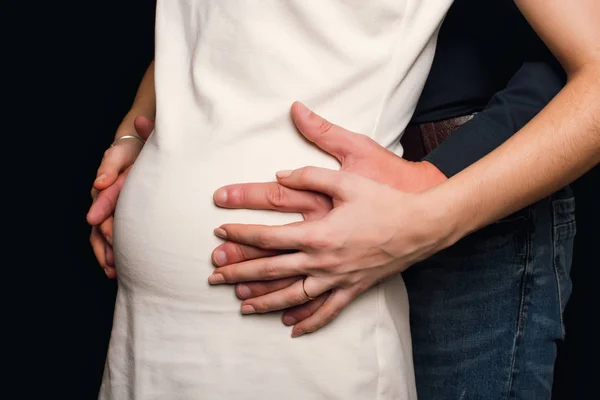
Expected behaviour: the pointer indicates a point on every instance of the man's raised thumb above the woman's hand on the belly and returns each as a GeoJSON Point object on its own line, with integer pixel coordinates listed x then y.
{"type": "Point", "coordinates": [331, 138]}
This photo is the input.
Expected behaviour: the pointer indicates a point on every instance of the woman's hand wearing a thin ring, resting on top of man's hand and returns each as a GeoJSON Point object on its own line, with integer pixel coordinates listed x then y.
{"type": "Point", "coordinates": [348, 251]}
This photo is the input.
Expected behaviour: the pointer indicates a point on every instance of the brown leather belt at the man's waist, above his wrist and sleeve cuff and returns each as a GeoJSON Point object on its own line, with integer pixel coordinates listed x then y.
{"type": "Point", "coordinates": [420, 139]}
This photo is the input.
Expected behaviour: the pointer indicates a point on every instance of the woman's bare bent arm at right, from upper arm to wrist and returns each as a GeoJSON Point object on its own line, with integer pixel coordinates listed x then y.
{"type": "Point", "coordinates": [560, 144]}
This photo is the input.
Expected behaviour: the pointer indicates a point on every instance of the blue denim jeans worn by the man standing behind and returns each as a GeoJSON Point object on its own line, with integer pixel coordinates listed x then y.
{"type": "Point", "coordinates": [486, 313]}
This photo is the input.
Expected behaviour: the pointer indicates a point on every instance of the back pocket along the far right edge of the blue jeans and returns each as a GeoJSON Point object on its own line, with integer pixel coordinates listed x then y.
{"type": "Point", "coordinates": [564, 230]}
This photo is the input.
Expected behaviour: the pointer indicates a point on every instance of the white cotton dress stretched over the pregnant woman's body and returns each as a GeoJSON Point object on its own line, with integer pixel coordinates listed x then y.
{"type": "Point", "coordinates": [227, 72]}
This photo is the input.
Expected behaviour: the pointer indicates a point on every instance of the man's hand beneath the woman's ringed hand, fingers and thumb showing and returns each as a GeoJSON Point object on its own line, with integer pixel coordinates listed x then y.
{"type": "Point", "coordinates": [357, 154]}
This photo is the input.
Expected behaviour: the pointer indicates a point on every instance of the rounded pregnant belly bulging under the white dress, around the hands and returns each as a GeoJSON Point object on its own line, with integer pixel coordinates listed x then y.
{"type": "Point", "coordinates": [165, 215]}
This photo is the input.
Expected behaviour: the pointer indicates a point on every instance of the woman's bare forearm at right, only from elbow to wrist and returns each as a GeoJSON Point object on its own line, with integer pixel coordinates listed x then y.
{"type": "Point", "coordinates": [554, 149]}
